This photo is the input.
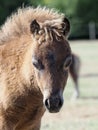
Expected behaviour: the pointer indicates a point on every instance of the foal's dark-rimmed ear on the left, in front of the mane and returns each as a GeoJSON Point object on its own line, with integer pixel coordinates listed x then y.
{"type": "Point", "coordinates": [34, 27]}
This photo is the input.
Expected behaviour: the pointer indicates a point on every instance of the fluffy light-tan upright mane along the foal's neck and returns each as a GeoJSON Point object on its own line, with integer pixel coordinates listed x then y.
{"type": "Point", "coordinates": [19, 23]}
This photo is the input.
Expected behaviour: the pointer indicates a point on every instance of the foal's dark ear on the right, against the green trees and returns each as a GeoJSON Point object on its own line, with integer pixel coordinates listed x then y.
{"type": "Point", "coordinates": [66, 26]}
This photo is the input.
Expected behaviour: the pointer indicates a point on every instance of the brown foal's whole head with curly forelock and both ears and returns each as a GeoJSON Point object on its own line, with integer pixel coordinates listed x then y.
{"type": "Point", "coordinates": [51, 58]}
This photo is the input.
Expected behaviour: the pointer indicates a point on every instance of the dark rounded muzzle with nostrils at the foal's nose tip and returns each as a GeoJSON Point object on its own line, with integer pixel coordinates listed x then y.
{"type": "Point", "coordinates": [53, 103]}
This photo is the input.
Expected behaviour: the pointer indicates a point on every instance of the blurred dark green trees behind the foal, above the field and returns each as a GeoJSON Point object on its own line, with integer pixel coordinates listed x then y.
{"type": "Point", "coordinates": [81, 13]}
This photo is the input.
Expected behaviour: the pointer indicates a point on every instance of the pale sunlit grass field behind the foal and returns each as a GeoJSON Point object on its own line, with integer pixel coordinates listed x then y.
{"type": "Point", "coordinates": [81, 114]}
